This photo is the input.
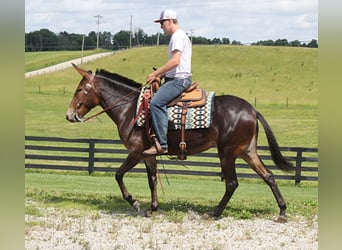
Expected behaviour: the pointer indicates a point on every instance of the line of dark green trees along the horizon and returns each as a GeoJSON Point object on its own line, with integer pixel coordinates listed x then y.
{"type": "Point", "coordinates": [46, 40]}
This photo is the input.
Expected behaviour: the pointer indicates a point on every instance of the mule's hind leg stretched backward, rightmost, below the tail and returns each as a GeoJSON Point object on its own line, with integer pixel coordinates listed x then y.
{"type": "Point", "coordinates": [258, 166]}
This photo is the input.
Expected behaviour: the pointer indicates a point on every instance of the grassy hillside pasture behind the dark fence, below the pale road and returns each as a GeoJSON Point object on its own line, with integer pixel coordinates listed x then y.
{"type": "Point", "coordinates": [282, 80]}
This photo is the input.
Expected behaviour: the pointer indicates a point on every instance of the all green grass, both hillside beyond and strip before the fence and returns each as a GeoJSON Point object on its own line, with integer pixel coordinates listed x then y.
{"type": "Point", "coordinates": [281, 81]}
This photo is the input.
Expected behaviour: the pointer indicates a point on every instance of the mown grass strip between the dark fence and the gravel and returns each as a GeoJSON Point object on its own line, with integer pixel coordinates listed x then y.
{"type": "Point", "coordinates": [100, 192]}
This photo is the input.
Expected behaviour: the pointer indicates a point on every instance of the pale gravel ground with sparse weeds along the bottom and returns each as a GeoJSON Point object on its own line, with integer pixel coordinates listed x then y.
{"type": "Point", "coordinates": [74, 229]}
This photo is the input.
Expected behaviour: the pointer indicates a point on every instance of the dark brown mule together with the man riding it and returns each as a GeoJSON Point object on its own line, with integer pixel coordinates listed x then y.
{"type": "Point", "coordinates": [233, 129]}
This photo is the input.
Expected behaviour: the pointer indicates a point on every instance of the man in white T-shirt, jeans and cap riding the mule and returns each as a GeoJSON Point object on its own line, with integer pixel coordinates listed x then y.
{"type": "Point", "coordinates": [177, 73]}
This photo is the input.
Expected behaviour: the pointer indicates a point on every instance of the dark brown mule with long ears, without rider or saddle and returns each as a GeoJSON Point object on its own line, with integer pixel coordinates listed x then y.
{"type": "Point", "coordinates": [233, 131]}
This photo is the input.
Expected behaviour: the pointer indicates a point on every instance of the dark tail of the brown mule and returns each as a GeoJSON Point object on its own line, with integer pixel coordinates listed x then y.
{"type": "Point", "coordinates": [282, 162]}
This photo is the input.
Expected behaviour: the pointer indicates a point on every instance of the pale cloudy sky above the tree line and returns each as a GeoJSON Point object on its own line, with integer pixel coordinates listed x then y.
{"type": "Point", "coordinates": [246, 21]}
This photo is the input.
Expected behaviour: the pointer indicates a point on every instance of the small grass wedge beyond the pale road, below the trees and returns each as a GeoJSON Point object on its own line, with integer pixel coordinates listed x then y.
{"type": "Point", "coordinates": [38, 60]}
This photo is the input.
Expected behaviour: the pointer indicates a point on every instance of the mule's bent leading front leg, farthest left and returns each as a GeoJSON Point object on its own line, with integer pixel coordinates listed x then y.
{"type": "Point", "coordinates": [131, 161]}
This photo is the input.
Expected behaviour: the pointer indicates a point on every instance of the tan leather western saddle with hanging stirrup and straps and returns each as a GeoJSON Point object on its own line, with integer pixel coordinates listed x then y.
{"type": "Point", "coordinates": [192, 97]}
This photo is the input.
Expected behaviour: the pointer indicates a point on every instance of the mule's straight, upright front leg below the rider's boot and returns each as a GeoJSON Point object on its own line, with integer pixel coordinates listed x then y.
{"type": "Point", "coordinates": [151, 169]}
